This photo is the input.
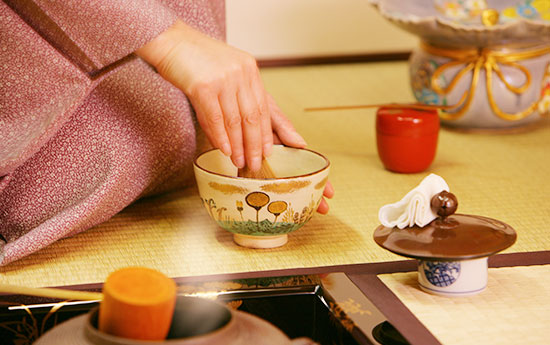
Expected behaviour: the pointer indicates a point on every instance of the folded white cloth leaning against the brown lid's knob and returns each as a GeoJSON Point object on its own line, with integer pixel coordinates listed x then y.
{"type": "Point", "coordinates": [414, 208]}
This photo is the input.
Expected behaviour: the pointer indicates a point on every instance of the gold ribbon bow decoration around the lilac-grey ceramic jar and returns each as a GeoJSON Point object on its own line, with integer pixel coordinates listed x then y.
{"type": "Point", "coordinates": [474, 60]}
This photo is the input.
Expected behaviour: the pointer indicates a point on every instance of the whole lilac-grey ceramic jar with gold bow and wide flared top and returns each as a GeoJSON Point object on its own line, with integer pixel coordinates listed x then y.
{"type": "Point", "coordinates": [488, 61]}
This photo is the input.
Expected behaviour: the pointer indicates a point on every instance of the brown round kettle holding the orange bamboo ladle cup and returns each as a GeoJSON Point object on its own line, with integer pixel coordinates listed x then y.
{"type": "Point", "coordinates": [196, 321]}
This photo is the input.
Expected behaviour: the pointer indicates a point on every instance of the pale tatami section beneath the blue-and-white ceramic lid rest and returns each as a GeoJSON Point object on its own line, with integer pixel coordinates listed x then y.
{"type": "Point", "coordinates": [512, 310]}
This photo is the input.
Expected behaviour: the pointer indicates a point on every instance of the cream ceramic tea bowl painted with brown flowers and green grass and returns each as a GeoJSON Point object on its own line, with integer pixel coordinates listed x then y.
{"type": "Point", "coordinates": [261, 212]}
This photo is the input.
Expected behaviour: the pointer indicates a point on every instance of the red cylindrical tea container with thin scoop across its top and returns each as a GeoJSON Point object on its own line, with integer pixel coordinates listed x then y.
{"type": "Point", "coordinates": [406, 138]}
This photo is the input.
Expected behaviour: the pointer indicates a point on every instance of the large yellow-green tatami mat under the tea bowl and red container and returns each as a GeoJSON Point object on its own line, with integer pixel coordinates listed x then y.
{"type": "Point", "coordinates": [500, 176]}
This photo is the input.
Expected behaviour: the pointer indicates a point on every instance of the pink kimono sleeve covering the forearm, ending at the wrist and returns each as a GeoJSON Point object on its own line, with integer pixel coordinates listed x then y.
{"type": "Point", "coordinates": [94, 34]}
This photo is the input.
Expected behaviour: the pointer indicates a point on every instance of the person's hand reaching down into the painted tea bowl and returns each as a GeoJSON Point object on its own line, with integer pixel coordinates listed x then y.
{"type": "Point", "coordinates": [225, 88]}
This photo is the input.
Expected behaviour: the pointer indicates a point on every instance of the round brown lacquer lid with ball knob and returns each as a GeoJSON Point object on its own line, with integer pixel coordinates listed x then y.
{"type": "Point", "coordinates": [449, 237]}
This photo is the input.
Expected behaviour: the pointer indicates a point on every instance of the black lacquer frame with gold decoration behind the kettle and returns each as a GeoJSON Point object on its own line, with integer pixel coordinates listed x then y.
{"type": "Point", "coordinates": [301, 306]}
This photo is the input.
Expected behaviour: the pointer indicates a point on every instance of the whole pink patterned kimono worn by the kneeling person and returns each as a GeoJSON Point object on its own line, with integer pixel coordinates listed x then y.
{"type": "Point", "coordinates": [86, 127]}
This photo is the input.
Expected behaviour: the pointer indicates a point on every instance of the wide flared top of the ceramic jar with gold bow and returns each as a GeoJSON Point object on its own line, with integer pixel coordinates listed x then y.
{"type": "Point", "coordinates": [455, 23]}
